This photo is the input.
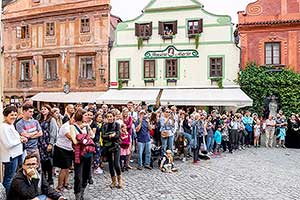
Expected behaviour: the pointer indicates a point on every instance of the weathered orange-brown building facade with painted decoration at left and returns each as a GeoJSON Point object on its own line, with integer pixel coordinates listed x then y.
{"type": "Point", "coordinates": [51, 45]}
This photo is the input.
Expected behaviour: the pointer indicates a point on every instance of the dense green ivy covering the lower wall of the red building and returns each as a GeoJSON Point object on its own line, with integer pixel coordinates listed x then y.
{"type": "Point", "coordinates": [261, 82]}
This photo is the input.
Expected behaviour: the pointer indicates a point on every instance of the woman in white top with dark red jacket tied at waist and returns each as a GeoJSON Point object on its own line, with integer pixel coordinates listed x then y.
{"type": "Point", "coordinates": [84, 148]}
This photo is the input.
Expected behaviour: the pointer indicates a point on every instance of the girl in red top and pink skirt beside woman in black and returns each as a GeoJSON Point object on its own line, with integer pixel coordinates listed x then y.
{"type": "Point", "coordinates": [125, 151]}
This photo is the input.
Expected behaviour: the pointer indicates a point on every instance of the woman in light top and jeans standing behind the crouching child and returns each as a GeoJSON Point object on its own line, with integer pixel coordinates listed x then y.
{"type": "Point", "coordinates": [167, 129]}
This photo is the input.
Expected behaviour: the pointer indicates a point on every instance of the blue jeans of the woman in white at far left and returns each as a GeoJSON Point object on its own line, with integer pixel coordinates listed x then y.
{"type": "Point", "coordinates": [10, 169]}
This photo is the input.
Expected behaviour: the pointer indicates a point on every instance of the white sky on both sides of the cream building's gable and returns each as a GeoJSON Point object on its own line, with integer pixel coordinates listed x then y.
{"type": "Point", "coordinates": [129, 9]}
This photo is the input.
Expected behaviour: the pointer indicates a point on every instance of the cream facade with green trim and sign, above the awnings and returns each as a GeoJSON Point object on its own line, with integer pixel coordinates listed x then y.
{"type": "Point", "coordinates": [158, 48]}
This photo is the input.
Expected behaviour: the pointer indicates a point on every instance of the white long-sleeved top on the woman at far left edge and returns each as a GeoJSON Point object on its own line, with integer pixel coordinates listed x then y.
{"type": "Point", "coordinates": [10, 143]}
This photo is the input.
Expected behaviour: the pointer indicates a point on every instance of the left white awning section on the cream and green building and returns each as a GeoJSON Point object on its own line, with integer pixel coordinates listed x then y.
{"type": "Point", "coordinates": [119, 97]}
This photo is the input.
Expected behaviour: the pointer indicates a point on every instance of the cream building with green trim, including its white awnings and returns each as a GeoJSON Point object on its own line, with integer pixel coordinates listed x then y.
{"type": "Point", "coordinates": [175, 47]}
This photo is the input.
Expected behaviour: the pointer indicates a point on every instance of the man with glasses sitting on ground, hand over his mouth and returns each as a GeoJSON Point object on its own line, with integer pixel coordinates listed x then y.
{"type": "Point", "coordinates": [30, 184]}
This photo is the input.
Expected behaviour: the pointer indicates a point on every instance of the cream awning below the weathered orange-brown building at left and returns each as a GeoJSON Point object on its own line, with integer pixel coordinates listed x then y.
{"type": "Point", "coordinates": [72, 97]}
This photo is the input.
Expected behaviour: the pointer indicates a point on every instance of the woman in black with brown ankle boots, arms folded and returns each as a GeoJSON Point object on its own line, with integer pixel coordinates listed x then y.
{"type": "Point", "coordinates": [111, 148]}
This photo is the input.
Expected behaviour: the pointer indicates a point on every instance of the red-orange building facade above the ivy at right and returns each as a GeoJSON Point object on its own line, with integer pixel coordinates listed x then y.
{"type": "Point", "coordinates": [270, 33]}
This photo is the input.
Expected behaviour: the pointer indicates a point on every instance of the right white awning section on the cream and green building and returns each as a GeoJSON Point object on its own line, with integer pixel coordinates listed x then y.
{"type": "Point", "coordinates": [206, 97]}
